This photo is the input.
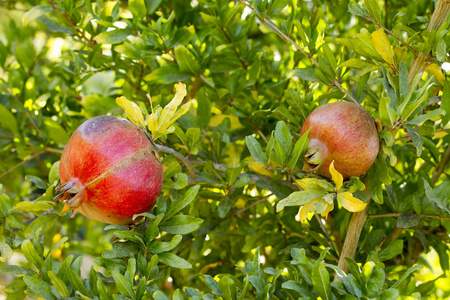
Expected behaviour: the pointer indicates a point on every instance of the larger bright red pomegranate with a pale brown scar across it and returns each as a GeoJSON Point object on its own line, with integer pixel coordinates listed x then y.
{"type": "Point", "coordinates": [109, 172]}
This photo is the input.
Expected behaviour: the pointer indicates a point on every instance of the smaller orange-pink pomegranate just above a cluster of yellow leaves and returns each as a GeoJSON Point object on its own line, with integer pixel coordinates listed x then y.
{"type": "Point", "coordinates": [343, 132]}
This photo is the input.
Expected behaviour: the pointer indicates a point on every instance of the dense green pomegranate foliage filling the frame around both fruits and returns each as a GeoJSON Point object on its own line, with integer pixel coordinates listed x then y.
{"type": "Point", "coordinates": [253, 71]}
